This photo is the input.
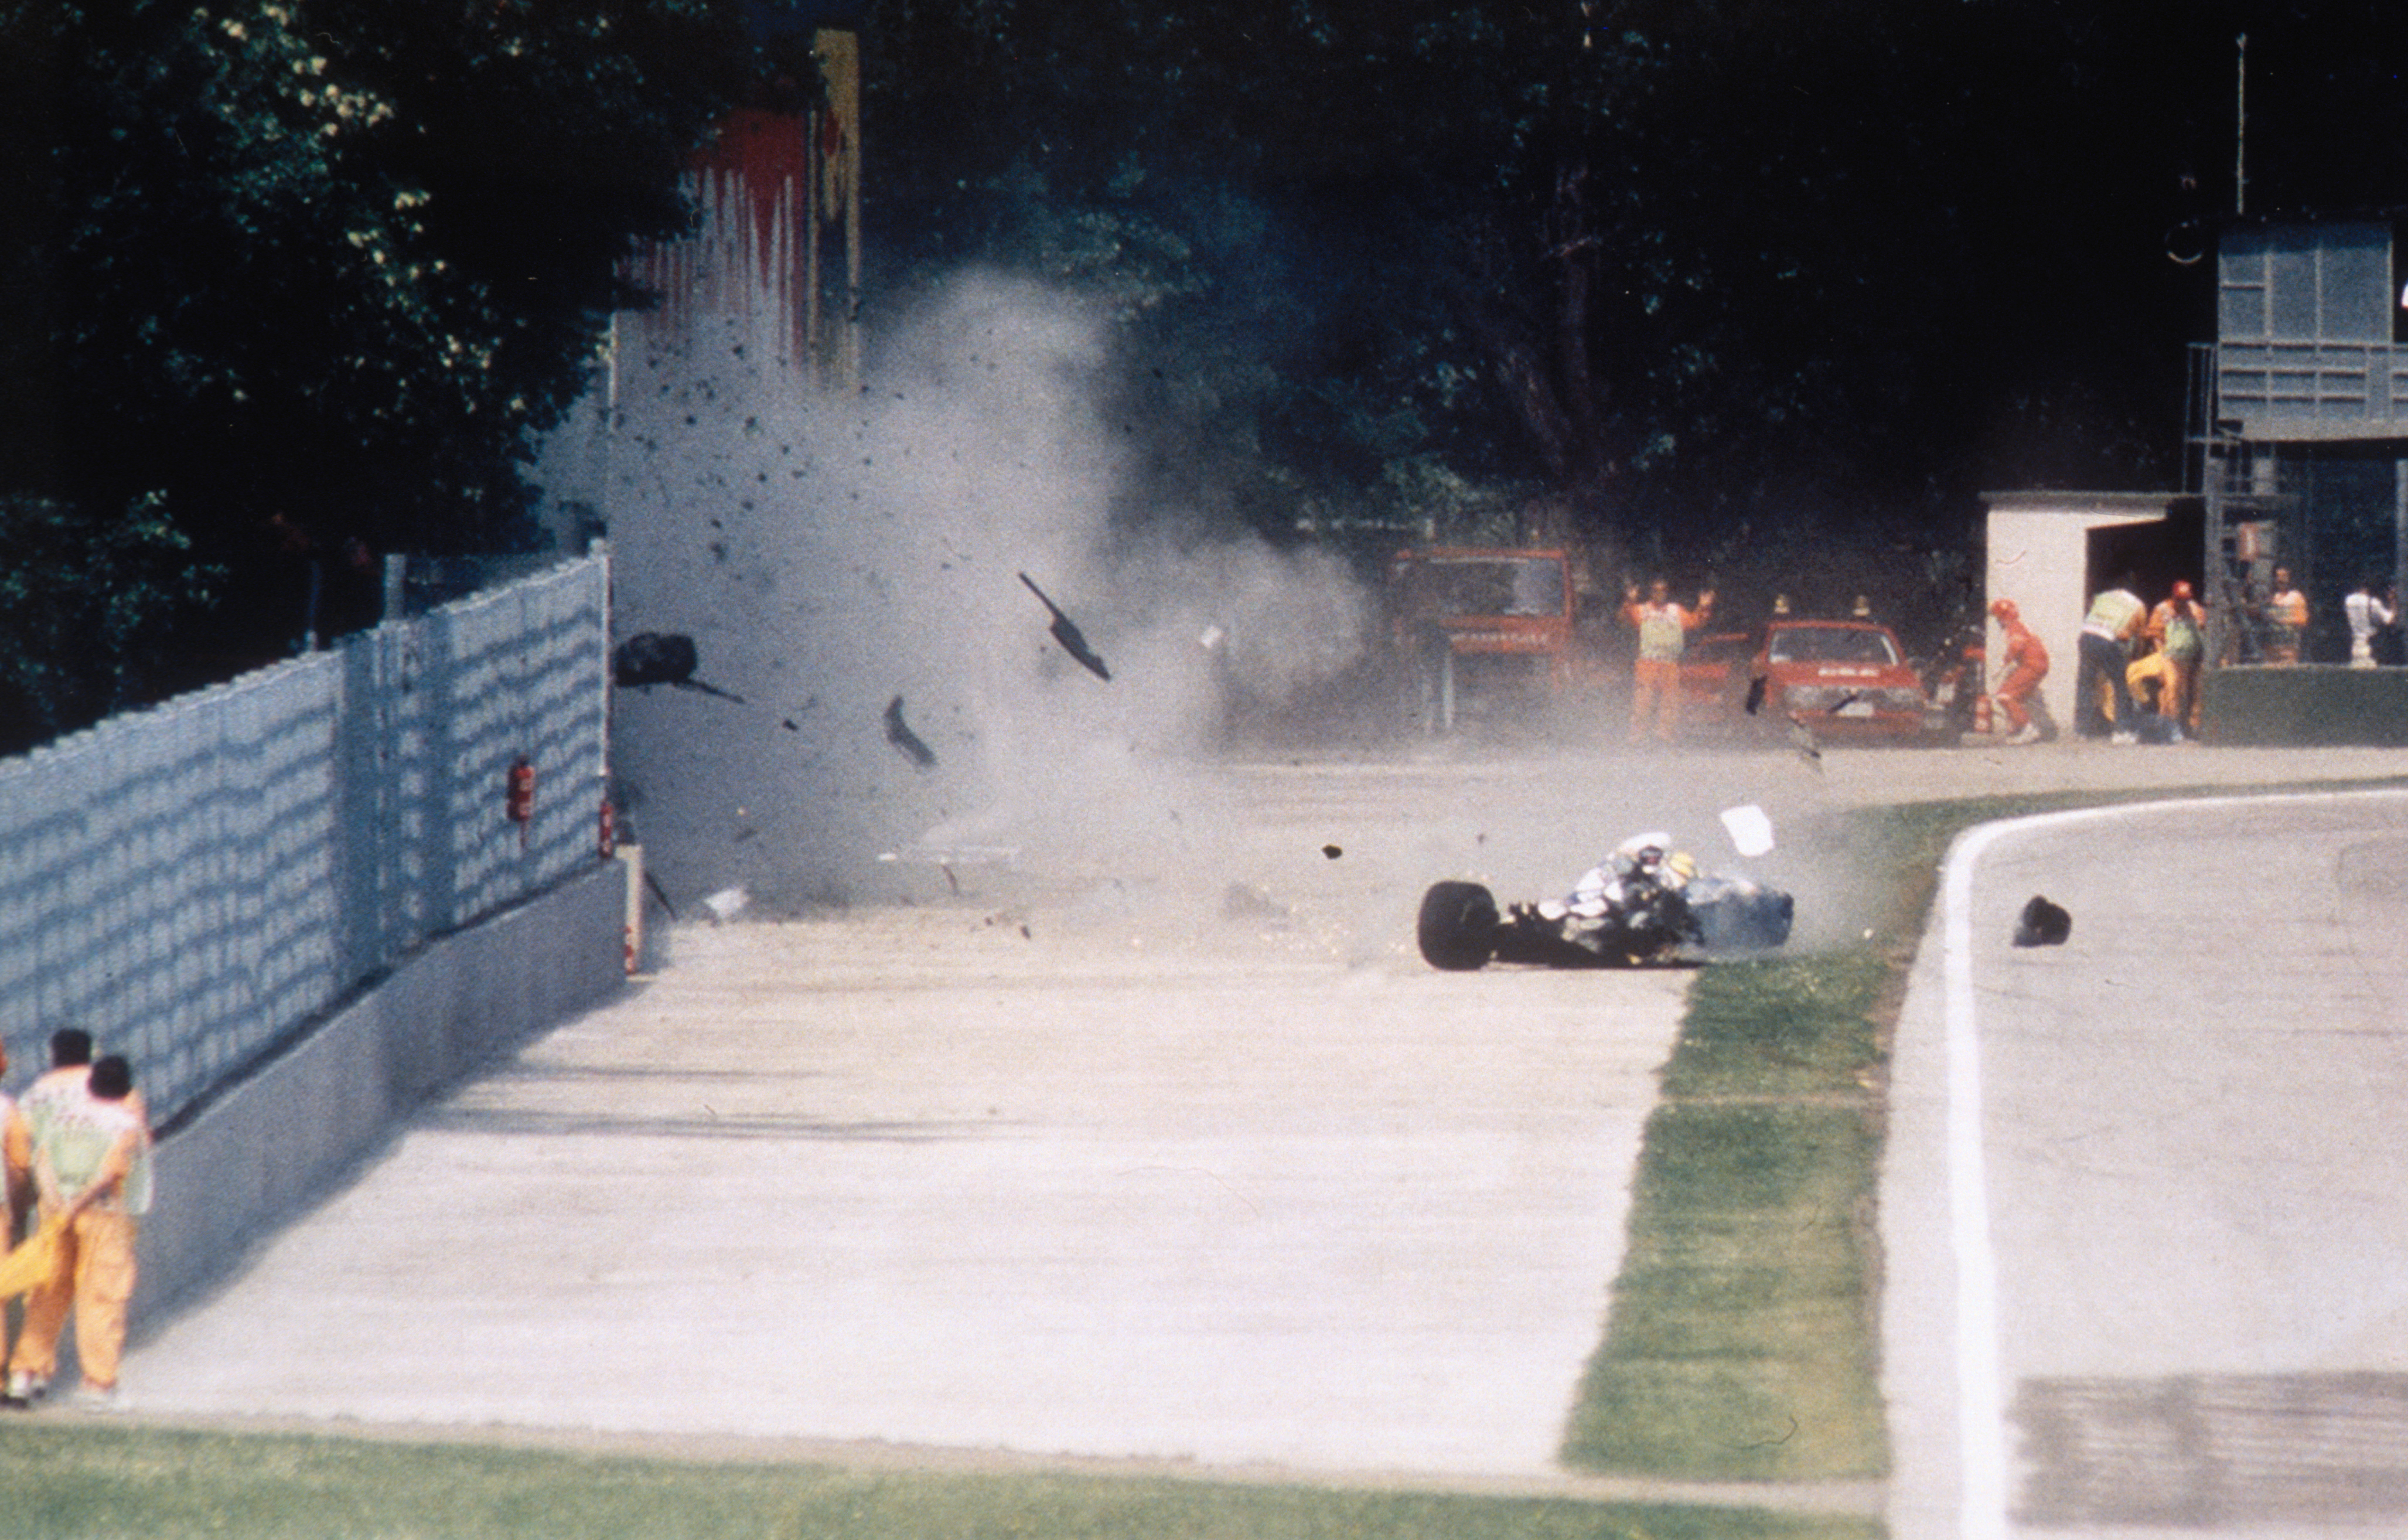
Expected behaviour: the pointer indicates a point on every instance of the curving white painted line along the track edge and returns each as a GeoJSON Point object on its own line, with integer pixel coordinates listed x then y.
{"type": "Point", "coordinates": [1983, 1459]}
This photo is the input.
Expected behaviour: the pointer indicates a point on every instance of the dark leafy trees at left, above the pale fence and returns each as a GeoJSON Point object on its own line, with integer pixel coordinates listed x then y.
{"type": "Point", "coordinates": [297, 274]}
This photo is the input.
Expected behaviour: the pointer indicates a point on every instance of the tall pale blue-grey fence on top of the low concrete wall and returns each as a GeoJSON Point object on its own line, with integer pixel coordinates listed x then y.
{"type": "Point", "coordinates": [201, 881]}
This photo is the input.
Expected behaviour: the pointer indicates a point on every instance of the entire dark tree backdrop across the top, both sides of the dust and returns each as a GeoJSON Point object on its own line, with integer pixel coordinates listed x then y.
{"type": "Point", "coordinates": [1696, 283]}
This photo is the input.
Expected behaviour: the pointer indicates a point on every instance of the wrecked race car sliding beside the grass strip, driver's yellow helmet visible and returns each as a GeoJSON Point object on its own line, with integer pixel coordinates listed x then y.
{"type": "Point", "coordinates": [1641, 907]}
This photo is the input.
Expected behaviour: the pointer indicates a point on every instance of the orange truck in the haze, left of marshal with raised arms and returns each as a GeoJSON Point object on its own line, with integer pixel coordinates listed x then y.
{"type": "Point", "coordinates": [1487, 625]}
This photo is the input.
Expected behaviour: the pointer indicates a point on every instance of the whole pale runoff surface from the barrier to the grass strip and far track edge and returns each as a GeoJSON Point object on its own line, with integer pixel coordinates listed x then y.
{"type": "Point", "coordinates": [1188, 1163]}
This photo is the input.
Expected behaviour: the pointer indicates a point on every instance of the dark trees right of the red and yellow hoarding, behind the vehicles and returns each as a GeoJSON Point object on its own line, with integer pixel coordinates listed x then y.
{"type": "Point", "coordinates": [1692, 274]}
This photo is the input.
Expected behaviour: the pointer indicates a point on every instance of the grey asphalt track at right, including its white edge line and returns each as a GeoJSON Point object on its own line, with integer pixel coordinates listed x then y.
{"type": "Point", "coordinates": [2166, 1233]}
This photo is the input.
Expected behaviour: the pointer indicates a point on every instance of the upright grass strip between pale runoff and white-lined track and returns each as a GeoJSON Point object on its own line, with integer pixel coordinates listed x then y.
{"type": "Point", "coordinates": [1745, 1336]}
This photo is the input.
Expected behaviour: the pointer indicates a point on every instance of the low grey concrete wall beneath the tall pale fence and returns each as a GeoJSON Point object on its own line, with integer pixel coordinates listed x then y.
{"type": "Point", "coordinates": [281, 1139]}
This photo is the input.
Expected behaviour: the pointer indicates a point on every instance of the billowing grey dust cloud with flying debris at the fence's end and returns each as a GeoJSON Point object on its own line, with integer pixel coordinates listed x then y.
{"type": "Point", "coordinates": [854, 570]}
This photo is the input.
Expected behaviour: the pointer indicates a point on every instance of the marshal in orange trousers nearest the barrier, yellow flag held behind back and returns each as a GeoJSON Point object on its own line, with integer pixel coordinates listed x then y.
{"type": "Point", "coordinates": [93, 1182]}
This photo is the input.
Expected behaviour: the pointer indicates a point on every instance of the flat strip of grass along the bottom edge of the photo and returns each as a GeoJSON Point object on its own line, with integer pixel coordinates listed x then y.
{"type": "Point", "coordinates": [175, 1486]}
